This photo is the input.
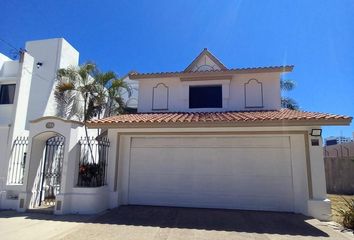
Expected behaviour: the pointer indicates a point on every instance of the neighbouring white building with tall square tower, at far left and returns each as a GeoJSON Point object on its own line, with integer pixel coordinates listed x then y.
{"type": "Point", "coordinates": [26, 90]}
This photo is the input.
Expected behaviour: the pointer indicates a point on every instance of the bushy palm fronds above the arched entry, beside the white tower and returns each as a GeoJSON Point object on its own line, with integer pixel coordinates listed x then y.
{"type": "Point", "coordinates": [84, 92]}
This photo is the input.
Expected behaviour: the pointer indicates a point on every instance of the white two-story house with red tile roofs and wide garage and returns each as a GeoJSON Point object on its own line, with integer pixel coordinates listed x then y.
{"type": "Point", "coordinates": [215, 137]}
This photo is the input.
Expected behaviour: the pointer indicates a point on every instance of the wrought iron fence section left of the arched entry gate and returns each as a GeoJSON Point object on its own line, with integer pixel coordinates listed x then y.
{"type": "Point", "coordinates": [17, 161]}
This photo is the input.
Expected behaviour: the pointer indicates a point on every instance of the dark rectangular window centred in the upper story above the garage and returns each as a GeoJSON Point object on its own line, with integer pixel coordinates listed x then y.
{"type": "Point", "coordinates": [205, 97]}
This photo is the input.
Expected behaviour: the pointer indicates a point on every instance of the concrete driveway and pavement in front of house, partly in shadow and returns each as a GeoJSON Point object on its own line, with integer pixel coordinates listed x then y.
{"type": "Point", "coordinates": [144, 222]}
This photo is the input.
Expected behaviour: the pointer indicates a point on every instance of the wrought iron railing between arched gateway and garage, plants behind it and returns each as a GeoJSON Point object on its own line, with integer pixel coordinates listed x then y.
{"type": "Point", "coordinates": [93, 162]}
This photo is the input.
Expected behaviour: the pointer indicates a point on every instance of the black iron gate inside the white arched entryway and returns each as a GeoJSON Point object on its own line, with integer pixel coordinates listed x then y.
{"type": "Point", "coordinates": [51, 171]}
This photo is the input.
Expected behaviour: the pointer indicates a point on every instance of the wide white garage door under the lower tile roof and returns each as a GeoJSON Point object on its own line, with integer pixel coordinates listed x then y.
{"type": "Point", "coordinates": [212, 172]}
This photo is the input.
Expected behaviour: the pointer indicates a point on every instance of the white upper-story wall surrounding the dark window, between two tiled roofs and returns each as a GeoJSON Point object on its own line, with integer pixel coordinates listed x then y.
{"type": "Point", "coordinates": [233, 93]}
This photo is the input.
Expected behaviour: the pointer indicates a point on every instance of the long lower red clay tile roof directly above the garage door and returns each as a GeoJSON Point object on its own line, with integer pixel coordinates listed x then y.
{"type": "Point", "coordinates": [292, 117]}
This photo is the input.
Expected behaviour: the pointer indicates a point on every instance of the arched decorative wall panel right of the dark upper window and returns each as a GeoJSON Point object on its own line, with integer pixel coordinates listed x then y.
{"type": "Point", "coordinates": [253, 94]}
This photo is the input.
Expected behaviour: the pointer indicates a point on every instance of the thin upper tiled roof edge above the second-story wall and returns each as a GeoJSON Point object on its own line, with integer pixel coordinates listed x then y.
{"type": "Point", "coordinates": [287, 68]}
